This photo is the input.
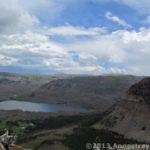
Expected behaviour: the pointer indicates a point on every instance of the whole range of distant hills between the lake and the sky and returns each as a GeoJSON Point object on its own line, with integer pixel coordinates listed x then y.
{"type": "Point", "coordinates": [97, 92]}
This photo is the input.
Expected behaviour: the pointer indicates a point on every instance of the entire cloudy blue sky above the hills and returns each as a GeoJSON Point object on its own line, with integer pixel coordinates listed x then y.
{"type": "Point", "coordinates": [93, 37]}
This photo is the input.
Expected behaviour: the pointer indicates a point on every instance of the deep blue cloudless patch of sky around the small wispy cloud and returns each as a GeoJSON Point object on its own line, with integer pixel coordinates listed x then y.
{"type": "Point", "coordinates": [89, 14]}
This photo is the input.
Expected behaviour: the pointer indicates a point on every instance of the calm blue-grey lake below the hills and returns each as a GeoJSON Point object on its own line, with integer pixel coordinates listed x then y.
{"type": "Point", "coordinates": [39, 107]}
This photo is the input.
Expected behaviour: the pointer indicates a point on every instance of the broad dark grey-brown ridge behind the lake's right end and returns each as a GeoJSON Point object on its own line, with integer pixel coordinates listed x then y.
{"type": "Point", "coordinates": [93, 92]}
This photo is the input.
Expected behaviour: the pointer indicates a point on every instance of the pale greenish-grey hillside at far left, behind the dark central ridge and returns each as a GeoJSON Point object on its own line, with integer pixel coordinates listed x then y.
{"type": "Point", "coordinates": [15, 85]}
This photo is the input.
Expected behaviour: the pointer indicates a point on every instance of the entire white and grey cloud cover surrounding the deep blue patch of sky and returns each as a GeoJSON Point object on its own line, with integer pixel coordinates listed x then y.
{"type": "Point", "coordinates": [25, 41]}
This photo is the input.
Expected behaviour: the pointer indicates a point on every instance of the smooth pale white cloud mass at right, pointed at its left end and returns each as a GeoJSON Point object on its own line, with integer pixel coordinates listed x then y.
{"type": "Point", "coordinates": [129, 51]}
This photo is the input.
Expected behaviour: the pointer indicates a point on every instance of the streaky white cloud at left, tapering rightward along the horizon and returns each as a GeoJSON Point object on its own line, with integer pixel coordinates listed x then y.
{"type": "Point", "coordinates": [36, 50]}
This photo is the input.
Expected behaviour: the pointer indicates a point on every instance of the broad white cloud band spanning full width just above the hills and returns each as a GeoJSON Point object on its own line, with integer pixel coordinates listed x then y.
{"type": "Point", "coordinates": [118, 52]}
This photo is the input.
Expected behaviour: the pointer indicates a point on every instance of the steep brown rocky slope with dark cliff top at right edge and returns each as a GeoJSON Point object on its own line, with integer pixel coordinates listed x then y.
{"type": "Point", "coordinates": [131, 116]}
